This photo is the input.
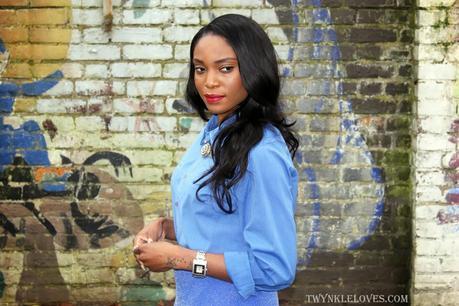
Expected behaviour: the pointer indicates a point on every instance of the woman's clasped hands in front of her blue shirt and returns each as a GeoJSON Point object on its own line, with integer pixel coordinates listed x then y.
{"type": "Point", "coordinates": [160, 256]}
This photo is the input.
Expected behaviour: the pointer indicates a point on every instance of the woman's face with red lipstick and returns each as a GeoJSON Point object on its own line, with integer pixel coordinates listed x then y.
{"type": "Point", "coordinates": [217, 77]}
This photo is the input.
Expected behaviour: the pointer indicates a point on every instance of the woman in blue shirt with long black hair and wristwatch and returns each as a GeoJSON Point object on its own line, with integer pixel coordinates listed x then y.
{"type": "Point", "coordinates": [234, 191]}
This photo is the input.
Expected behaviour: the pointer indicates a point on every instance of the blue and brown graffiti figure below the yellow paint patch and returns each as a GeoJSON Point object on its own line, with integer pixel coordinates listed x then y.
{"type": "Point", "coordinates": [77, 222]}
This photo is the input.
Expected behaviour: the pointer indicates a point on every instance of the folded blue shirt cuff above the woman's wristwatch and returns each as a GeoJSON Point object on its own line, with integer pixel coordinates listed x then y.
{"type": "Point", "coordinates": [238, 268]}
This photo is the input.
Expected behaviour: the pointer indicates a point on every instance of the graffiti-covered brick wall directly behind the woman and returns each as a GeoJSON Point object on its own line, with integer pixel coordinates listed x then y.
{"type": "Point", "coordinates": [99, 122]}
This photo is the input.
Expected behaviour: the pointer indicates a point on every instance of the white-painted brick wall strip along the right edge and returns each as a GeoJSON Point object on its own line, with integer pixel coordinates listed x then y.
{"type": "Point", "coordinates": [436, 222]}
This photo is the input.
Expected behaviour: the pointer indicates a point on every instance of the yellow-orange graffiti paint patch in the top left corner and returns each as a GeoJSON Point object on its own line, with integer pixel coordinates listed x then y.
{"type": "Point", "coordinates": [35, 32]}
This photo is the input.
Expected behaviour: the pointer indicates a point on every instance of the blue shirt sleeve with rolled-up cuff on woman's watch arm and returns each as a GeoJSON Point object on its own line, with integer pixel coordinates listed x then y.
{"type": "Point", "coordinates": [269, 230]}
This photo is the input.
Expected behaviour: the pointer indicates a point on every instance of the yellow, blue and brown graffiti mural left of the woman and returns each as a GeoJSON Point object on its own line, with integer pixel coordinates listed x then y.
{"type": "Point", "coordinates": [46, 209]}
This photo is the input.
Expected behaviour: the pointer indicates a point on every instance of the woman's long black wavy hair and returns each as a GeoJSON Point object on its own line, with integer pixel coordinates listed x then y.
{"type": "Point", "coordinates": [260, 77]}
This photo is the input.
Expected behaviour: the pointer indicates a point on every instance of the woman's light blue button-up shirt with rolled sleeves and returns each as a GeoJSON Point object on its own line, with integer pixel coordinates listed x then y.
{"type": "Point", "coordinates": [258, 240]}
